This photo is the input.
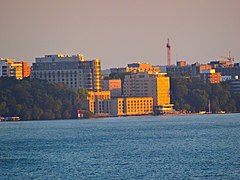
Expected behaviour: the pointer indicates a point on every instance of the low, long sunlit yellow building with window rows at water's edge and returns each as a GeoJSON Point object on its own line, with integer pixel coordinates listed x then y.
{"type": "Point", "coordinates": [131, 106]}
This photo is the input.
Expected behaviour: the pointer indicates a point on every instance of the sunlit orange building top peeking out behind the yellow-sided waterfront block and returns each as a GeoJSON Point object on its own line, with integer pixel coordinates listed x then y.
{"type": "Point", "coordinates": [136, 67]}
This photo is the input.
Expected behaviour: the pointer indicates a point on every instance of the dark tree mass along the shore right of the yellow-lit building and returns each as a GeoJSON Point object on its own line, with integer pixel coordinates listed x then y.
{"type": "Point", "coordinates": [193, 94]}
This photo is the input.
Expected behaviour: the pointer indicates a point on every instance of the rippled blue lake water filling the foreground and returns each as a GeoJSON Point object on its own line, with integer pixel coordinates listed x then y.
{"type": "Point", "coordinates": [153, 147]}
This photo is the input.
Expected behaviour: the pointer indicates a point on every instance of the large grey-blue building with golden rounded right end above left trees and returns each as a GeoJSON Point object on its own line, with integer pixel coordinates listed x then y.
{"type": "Point", "coordinates": [73, 71]}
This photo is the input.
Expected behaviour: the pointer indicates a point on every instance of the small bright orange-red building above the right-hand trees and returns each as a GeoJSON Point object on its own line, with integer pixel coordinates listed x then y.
{"type": "Point", "coordinates": [211, 76]}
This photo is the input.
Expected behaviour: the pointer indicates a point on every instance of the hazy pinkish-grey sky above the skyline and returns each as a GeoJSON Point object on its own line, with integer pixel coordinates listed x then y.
{"type": "Point", "coordinates": [120, 31]}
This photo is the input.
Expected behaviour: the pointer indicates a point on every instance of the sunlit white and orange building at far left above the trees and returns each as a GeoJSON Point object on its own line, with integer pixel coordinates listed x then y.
{"type": "Point", "coordinates": [9, 68]}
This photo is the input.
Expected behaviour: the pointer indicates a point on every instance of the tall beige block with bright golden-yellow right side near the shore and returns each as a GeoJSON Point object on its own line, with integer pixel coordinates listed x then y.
{"type": "Point", "coordinates": [147, 84]}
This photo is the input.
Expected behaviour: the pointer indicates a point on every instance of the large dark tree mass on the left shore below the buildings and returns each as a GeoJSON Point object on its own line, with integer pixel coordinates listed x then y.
{"type": "Point", "coordinates": [34, 99]}
